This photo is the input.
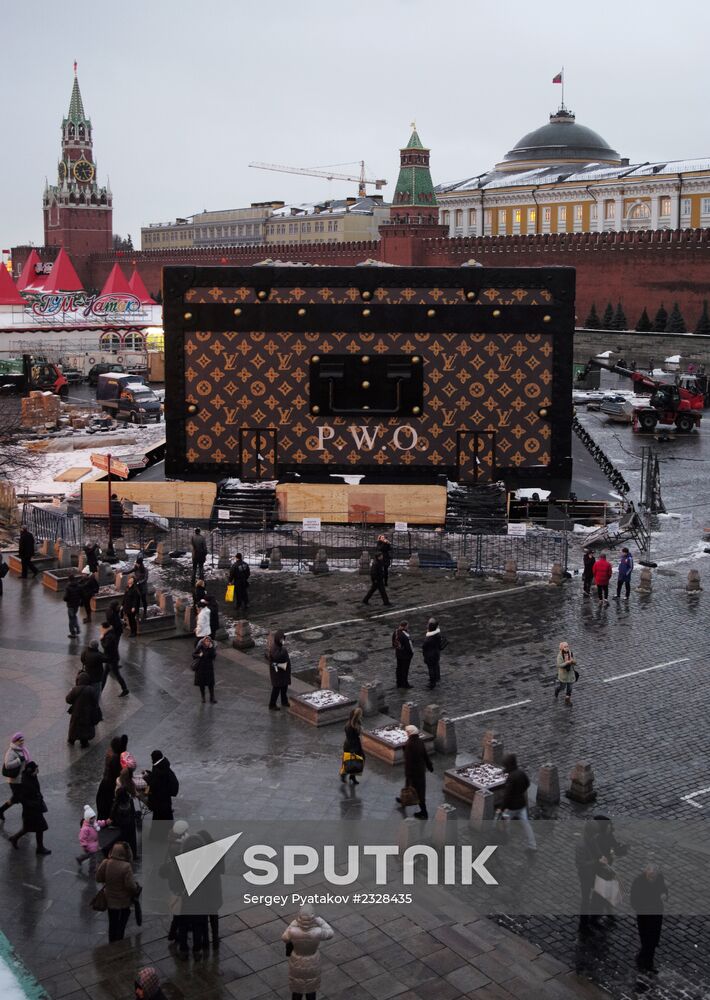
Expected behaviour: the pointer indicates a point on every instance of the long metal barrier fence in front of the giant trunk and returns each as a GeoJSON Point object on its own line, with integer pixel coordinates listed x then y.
{"type": "Point", "coordinates": [343, 544]}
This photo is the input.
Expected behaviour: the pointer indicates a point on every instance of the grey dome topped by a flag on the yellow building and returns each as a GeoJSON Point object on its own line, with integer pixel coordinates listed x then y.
{"type": "Point", "coordinates": [561, 142]}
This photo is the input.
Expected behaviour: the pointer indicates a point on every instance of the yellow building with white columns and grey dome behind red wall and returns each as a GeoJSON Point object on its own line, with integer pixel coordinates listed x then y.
{"type": "Point", "coordinates": [564, 178]}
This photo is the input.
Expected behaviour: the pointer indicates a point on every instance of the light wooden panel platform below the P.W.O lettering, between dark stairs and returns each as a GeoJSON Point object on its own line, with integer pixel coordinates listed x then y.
{"type": "Point", "coordinates": [341, 503]}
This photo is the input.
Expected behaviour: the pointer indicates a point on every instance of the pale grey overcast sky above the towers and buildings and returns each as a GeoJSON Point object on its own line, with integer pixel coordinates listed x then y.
{"type": "Point", "coordinates": [182, 95]}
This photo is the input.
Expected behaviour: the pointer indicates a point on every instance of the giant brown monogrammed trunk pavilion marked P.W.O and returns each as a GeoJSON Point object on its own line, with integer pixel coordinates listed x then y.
{"type": "Point", "coordinates": [398, 374]}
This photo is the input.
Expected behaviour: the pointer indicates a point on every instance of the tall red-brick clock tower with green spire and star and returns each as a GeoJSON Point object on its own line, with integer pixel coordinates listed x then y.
{"type": "Point", "coordinates": [78, 214]}
